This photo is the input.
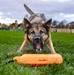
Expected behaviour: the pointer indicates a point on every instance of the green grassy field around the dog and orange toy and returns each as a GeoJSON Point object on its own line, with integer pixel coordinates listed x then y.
{"type": "Point", "coordinates": [10, 42]}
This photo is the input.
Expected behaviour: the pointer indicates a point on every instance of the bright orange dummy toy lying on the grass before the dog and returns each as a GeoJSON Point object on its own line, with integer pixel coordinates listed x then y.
{"type": "Point", "coordinates": [39, 59]}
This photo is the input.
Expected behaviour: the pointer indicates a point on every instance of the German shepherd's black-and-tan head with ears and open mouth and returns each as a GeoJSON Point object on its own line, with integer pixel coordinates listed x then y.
{"type": "Point", "coordinates": [37, 33]}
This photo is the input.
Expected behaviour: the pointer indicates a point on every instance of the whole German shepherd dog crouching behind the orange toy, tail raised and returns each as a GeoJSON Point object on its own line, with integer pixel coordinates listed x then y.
{"type": "Point", "coordinates": [37, 31]}
